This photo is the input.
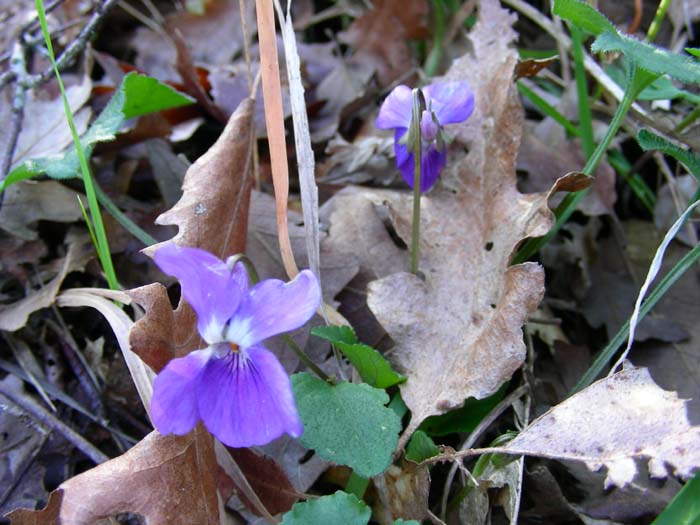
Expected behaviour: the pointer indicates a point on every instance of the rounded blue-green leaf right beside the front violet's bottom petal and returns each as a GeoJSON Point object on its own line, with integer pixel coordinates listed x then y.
{"type": "Point", "coordinates": [347, 423]}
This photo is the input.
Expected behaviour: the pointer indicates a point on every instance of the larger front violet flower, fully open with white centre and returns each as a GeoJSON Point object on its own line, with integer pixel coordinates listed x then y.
{"type": "Point", "coordinates": [235, 386]}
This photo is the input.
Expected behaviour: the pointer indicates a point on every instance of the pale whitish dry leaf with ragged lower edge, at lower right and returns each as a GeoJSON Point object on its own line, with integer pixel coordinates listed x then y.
{"type": "Point", "coordinates": [614, 422]}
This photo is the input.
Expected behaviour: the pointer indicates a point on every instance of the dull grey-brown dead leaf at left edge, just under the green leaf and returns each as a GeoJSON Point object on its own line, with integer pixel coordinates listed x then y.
{"type": "Point", "coordinates": [28, 202]}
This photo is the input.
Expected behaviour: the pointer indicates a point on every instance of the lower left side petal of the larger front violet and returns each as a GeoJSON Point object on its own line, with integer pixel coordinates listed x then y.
{"type": "Point", "coordinates": [174, 403]}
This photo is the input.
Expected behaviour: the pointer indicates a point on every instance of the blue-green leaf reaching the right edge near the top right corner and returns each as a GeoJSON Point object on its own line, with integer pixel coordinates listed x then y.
{"type": "Point", "coordinates": [649, 57]}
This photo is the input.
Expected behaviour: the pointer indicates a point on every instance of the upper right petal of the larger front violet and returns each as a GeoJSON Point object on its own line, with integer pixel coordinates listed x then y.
{"type": "Point", "coordinates": [273, 307]}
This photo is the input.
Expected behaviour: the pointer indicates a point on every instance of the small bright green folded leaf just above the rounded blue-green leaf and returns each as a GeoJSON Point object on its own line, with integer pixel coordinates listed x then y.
{"type": "Point", "coordinates": [370, 364]}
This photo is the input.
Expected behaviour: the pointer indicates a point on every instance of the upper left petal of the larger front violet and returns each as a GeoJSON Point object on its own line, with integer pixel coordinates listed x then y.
{"type": "Point", "coordinates": [208, 285]}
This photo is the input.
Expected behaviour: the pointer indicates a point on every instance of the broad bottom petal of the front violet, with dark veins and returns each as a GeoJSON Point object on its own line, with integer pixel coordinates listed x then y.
{"type": "Point", "coordinates": [245, 399]}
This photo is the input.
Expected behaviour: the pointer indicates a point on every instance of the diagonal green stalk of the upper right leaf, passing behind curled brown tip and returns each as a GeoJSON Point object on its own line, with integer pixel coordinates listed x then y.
{"type": "Point", "coordinates": [568, 205]}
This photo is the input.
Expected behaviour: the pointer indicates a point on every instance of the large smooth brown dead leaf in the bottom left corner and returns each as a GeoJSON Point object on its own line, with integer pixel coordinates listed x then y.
{"type": "Point", "coordinates": [164, 479]}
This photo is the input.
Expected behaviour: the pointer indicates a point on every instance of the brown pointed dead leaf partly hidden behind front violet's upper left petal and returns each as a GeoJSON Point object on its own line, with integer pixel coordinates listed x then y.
{"type": "Point", "coordinates": [214, 220]}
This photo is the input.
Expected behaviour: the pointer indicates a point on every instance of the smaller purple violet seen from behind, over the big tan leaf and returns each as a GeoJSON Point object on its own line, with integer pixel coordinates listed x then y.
{"type": "Point", "coordinates": [446, 103]}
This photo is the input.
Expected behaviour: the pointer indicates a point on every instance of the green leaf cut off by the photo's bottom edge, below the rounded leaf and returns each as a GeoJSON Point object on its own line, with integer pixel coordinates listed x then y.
{"type": "Point", "coordinates": [340, 508]}
